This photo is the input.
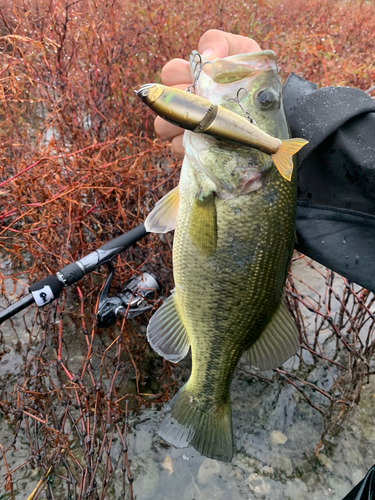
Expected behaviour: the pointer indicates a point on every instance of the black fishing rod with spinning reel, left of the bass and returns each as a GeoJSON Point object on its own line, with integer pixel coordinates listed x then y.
{"type": "Point", "coordinates": [133, 298]}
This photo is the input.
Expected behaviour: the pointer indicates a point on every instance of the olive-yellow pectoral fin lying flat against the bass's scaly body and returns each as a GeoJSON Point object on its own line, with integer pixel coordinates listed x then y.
{"type": "Point", "coordinates": [203, 225]}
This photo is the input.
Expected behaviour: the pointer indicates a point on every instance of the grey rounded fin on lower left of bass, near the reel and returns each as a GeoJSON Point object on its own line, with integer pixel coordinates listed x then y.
{"type": "Point", "coordinates": [166, 333]}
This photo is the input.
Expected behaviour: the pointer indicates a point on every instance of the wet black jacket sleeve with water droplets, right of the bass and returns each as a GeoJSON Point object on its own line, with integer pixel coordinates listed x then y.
{"type": "Point", "coordinates": [336, 176]}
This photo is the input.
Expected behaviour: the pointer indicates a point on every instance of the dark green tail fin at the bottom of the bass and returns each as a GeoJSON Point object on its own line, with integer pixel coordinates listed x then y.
{"type": "Point", "coordinates": [208, 431]}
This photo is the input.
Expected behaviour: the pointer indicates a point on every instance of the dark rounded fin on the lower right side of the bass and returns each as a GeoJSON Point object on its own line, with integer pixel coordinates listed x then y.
{"type": "Point", "coordinates": [277, 343]}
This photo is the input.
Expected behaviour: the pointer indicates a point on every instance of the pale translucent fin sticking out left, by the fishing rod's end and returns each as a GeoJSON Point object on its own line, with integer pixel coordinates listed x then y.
{"type": "Point", "coordinates": [163, 217]}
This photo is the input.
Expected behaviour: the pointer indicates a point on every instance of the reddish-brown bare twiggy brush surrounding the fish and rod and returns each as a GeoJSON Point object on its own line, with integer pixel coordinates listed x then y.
{"type": "Point", "coordinates": [80, 164]}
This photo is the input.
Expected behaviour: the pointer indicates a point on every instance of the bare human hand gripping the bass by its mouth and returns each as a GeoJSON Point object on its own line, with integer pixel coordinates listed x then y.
{"type": "Point", "coordinates": [176, 73]}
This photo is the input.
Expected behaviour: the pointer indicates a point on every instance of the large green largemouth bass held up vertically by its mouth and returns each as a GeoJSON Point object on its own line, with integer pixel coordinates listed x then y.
{"type": "Point", "coordinates": [233, 215]}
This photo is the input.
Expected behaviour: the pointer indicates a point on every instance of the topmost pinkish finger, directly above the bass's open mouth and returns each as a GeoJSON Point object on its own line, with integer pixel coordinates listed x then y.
{"type": "Point", "coordinates": [216, 43]}
